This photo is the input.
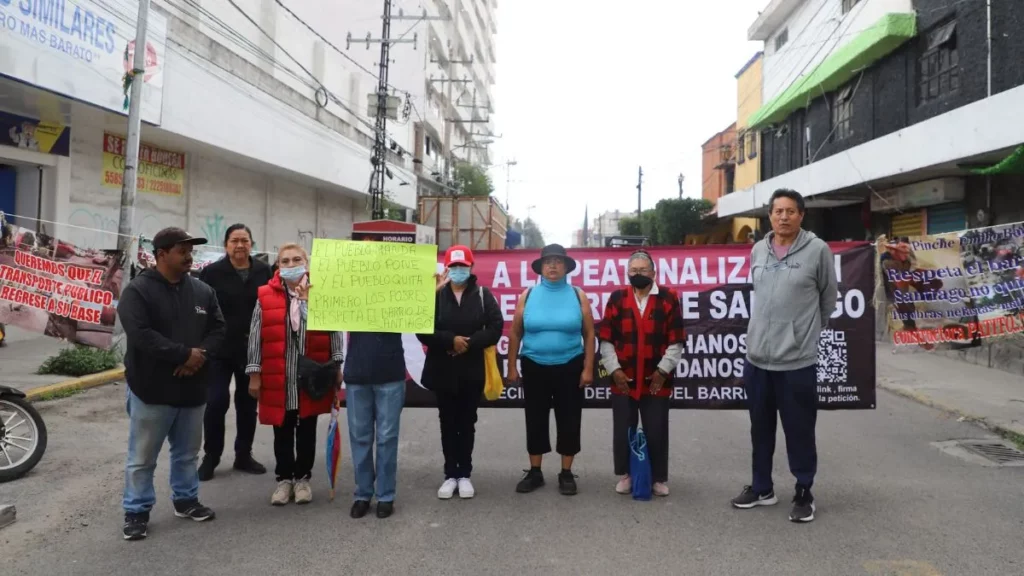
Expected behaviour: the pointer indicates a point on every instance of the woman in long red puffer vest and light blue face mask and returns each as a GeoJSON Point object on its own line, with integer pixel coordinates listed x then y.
{"type": "Point", "coordinates": [277, 335]}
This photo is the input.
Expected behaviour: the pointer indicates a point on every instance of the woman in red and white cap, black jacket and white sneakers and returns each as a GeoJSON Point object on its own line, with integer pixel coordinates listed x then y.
{"type": "Point", "coordinates": [467, 320]}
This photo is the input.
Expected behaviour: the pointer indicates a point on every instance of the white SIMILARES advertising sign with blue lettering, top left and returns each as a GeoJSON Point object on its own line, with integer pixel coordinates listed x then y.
{"type": "Point", "coordinates": [78, 49]}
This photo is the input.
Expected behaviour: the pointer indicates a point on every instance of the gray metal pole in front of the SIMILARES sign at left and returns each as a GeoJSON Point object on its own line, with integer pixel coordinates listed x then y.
{"type": "Point", "coordinates": [130, 182]}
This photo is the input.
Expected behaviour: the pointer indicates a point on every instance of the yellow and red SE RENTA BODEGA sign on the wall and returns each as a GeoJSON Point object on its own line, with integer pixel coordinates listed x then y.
{"type": "Point", "coordinates": [160, 172]}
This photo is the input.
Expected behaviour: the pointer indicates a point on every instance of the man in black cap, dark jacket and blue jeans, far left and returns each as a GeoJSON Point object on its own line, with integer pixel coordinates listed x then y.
{"type": "Point", "coordinates": [173, 323]}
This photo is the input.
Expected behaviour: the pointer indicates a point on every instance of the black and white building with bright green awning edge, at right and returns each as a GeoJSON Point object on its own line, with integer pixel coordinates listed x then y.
{"type": "Point", "coordinates": [892, 117]}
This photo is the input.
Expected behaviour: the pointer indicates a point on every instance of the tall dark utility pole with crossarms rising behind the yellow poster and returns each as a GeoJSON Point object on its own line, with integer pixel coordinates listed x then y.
{"type": "Point", "coordinates": [382, 111]}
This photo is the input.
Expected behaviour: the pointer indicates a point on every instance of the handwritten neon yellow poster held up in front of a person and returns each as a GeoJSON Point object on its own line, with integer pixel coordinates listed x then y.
{"type": "Point", "coordinates": [372, 286]}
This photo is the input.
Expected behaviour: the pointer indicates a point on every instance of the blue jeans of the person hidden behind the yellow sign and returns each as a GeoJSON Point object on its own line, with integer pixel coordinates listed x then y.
{"type": "Point", "coordinates": [374, 412]}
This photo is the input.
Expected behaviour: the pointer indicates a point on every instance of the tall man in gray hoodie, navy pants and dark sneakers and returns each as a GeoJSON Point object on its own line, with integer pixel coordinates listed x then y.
{"type": "Point", "coordinates": [795, 295]}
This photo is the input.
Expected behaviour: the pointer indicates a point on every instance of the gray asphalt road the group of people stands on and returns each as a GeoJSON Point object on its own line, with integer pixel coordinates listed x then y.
{"type": "Point", "coordinates": [889, 504]}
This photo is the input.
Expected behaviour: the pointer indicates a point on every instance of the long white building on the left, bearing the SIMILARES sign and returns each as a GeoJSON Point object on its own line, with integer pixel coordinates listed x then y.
{"type": "Point", "coordinates": [255, 112]}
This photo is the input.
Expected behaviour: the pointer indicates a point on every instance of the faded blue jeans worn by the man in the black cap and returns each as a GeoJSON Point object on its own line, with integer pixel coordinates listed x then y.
{"type": "Point", "coordinates": [150, 426]}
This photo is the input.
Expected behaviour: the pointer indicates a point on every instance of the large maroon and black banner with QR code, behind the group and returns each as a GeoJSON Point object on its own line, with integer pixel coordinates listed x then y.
{"type": "Point", "coordinates": [713, 285]}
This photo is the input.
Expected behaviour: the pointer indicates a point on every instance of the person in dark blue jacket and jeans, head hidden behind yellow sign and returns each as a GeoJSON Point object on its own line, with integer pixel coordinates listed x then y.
{"type": "Point", "coordinates": [375, 395]}
